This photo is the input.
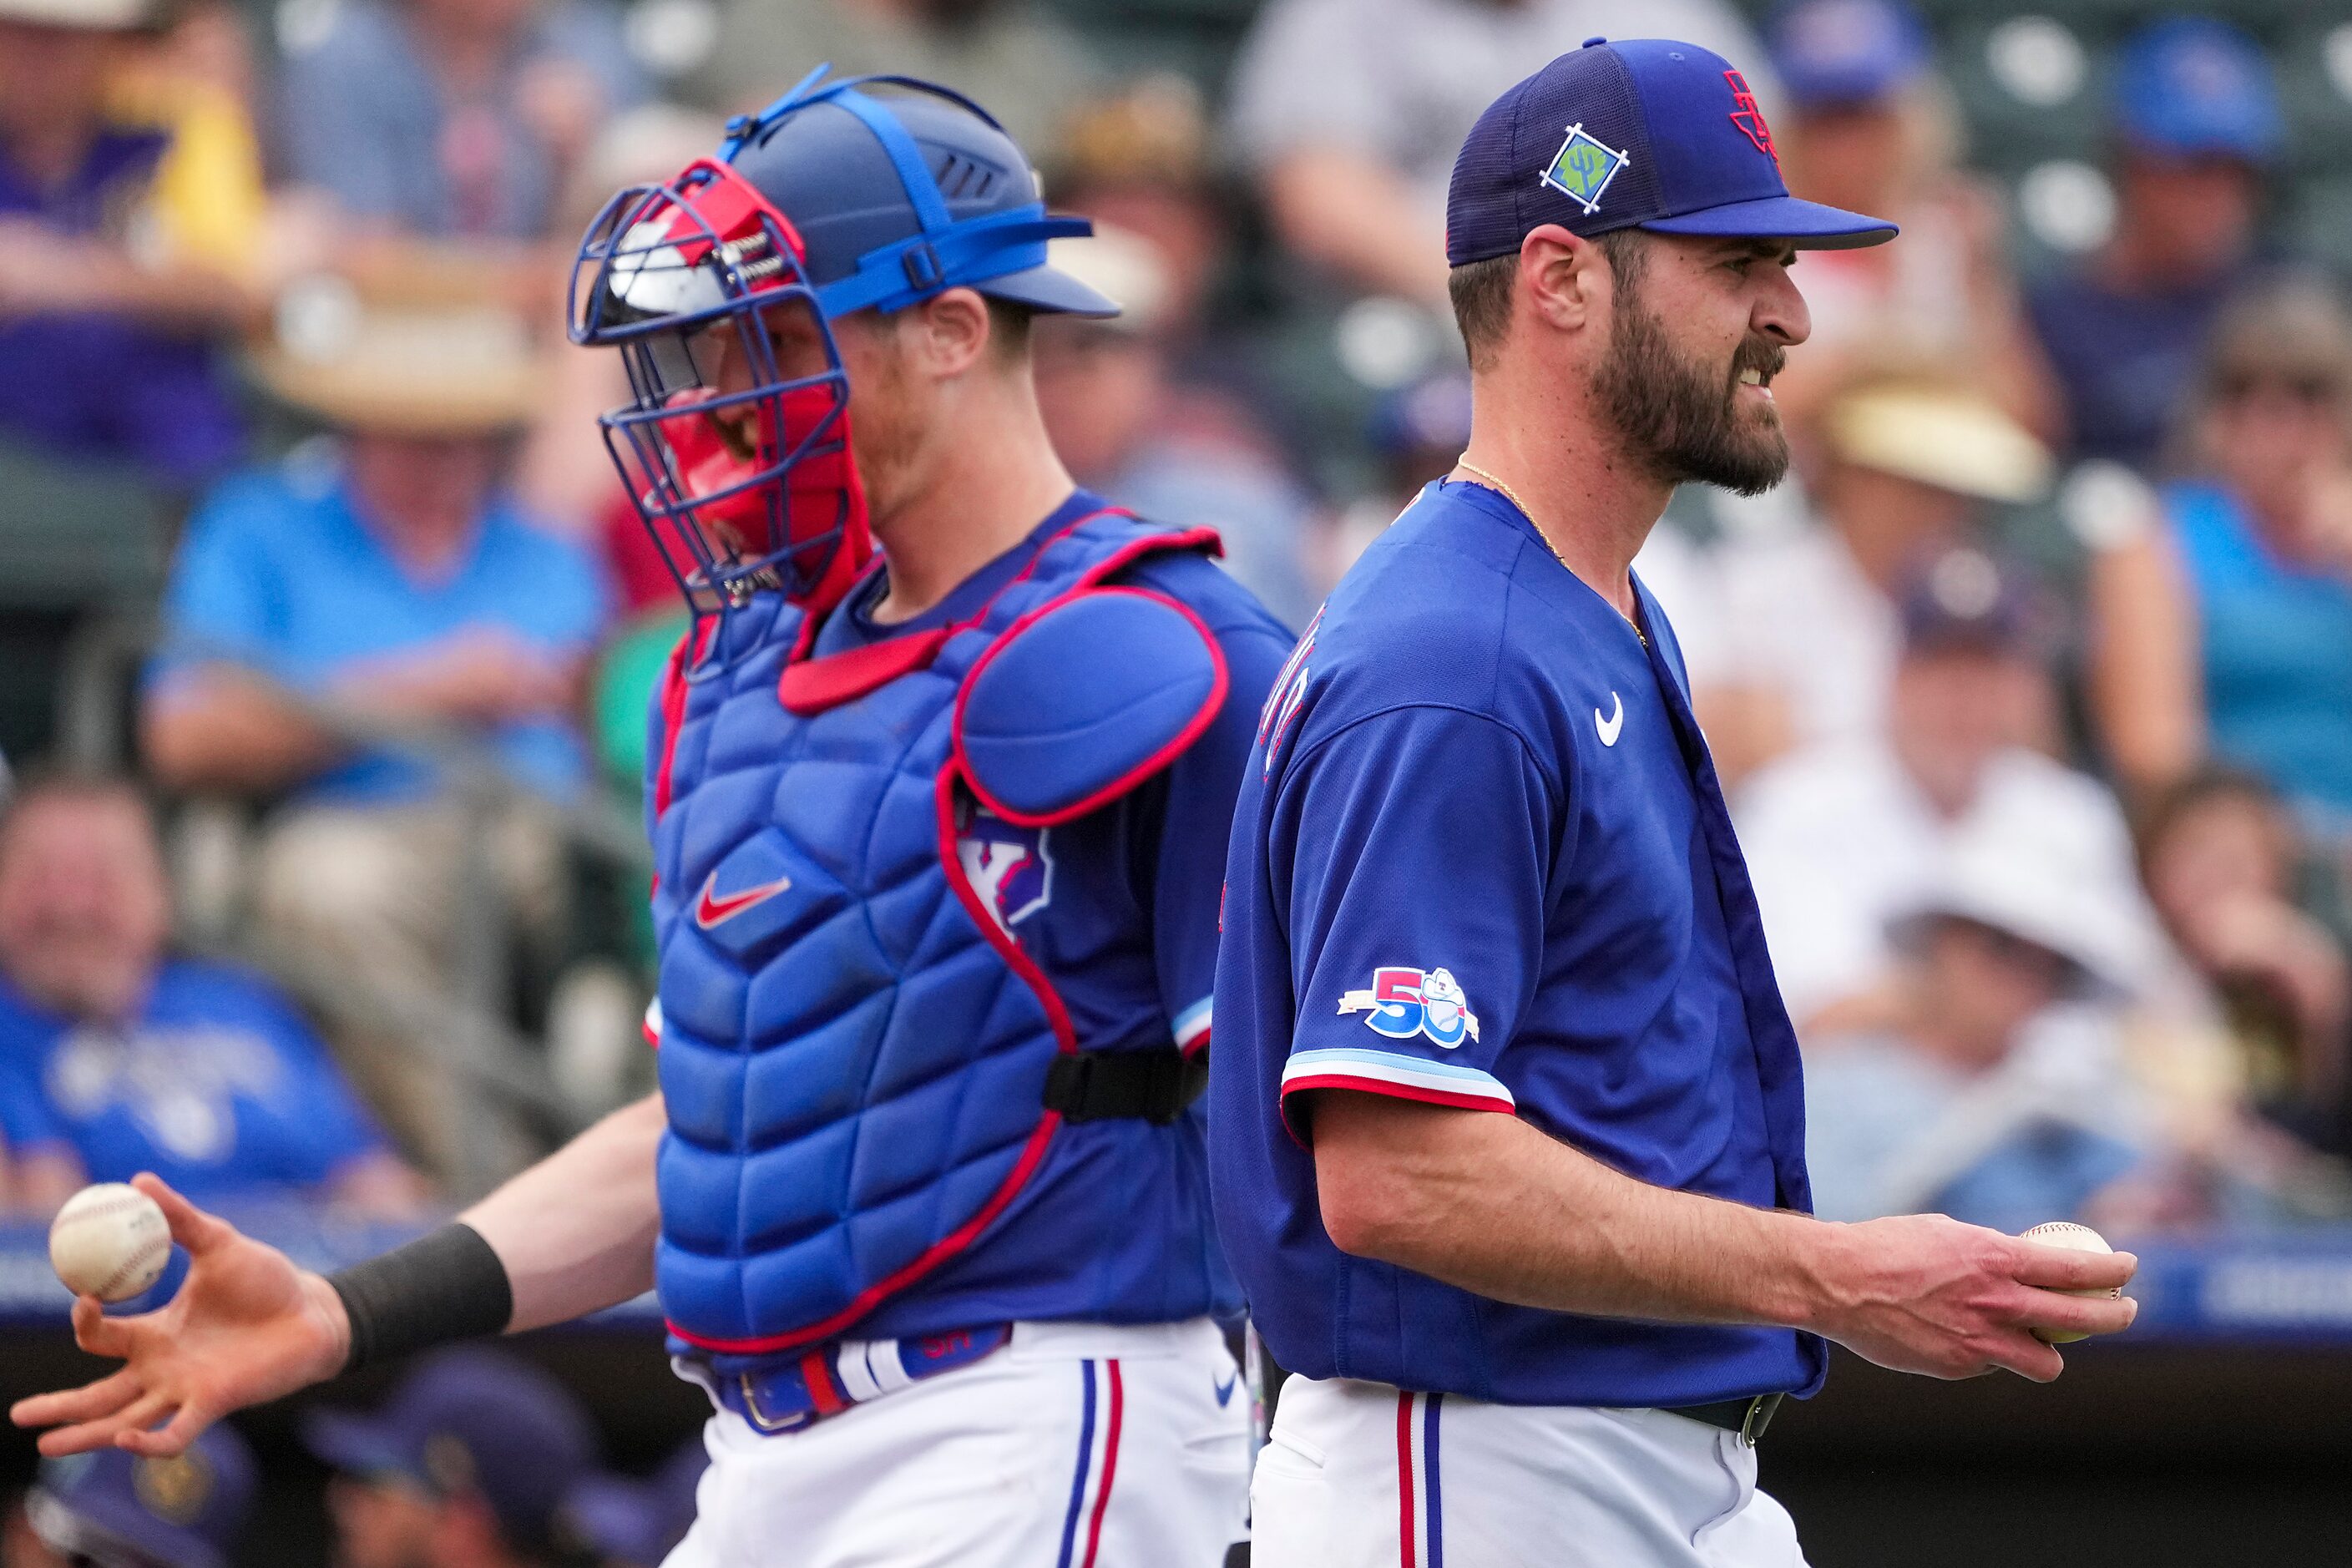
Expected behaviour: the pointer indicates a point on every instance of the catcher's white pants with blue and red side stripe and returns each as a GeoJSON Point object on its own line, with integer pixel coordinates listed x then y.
{"type": "Point", "coordinates": [1074, 1447]}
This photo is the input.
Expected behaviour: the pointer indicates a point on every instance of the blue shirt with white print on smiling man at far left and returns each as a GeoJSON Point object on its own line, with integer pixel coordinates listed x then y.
{"type": "Point", "coordinates": [218, 1085]}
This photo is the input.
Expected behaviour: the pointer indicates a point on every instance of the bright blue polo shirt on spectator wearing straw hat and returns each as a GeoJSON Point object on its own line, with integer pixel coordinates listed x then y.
{"type": "Point", "coordinates": [281, 575]}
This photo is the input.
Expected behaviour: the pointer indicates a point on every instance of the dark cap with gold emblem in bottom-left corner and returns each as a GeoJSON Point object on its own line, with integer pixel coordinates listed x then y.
{"type": "Point", "coordinates": [131, 1513]}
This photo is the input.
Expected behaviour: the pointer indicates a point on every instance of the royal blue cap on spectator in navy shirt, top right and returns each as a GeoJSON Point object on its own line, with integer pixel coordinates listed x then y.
{"type": "Point", "coordinates": [2191, 86]}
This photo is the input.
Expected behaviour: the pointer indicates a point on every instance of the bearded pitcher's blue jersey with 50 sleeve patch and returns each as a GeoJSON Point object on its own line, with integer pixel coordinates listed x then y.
{"type": "Point", "coordinates": [1483, 862]}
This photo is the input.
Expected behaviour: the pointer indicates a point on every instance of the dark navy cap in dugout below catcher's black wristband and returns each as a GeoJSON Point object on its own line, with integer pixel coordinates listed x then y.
{"type": "Point", "coordinates": [472, 1421]}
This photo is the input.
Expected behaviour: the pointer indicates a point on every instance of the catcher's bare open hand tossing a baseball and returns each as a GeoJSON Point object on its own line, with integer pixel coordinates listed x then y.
{"type": "Point", "coordinates": [243, 1329]}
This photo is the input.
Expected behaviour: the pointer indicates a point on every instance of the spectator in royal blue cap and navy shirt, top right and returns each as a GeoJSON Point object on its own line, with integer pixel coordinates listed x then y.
{"type": "Point", "coordinates": [2196, 126]}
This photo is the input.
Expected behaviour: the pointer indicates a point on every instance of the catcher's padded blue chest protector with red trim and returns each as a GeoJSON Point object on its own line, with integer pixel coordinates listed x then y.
{"type": "Point", "coordinates": [857, 1054]}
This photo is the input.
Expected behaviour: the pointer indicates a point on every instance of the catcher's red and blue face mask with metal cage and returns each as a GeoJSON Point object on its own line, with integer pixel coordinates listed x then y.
{"type": "Point", "coordinates": [737, 464]}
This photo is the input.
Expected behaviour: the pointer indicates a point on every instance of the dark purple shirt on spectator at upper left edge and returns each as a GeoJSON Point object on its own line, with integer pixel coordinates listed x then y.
{"type": "Point", "coordinates": [107, 387]}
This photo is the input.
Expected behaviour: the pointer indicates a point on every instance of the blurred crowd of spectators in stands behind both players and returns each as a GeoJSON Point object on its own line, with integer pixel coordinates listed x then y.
{"type": "Point", "coordinates": [2033, 690]}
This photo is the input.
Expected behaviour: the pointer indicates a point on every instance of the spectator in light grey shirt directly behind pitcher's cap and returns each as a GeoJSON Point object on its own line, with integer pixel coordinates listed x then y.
{"type": "Point", "coordinates": [1351, 112]}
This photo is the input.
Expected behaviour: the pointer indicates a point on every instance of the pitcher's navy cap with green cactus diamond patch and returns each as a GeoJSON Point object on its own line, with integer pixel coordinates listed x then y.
{"type": "Point", "coordinates": [1633, 135]}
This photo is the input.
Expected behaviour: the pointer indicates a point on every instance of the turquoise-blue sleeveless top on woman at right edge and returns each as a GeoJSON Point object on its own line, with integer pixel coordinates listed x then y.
{"type": "Point", "coordinates": [2278, 652]}
